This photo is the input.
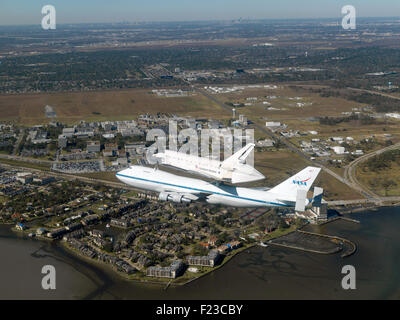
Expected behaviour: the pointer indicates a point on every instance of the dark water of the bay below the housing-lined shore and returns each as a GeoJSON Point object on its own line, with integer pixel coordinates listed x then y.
{"type": "Point", "coordinates": [256, 274]}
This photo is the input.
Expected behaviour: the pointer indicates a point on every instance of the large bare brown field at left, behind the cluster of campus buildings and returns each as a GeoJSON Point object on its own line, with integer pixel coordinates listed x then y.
{"type": "Point", "coordinates": [71, 107]}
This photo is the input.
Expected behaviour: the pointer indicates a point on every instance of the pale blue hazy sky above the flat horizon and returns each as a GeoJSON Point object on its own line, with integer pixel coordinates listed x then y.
{"type": "Point", "coordinates": [16, 12]}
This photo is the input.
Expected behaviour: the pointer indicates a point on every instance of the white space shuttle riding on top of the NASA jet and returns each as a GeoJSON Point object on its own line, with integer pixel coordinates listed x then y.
{"type": "Point", "coordinates": [233, 170]}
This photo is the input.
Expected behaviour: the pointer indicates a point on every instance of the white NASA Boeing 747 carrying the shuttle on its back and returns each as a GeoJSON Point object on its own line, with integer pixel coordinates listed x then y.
{"type": "Point", "coordinates": [290, 193]}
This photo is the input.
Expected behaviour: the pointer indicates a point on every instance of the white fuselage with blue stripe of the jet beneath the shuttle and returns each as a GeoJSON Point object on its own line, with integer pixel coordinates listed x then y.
{"type": "Point", "coordinates": [160, 181]}
